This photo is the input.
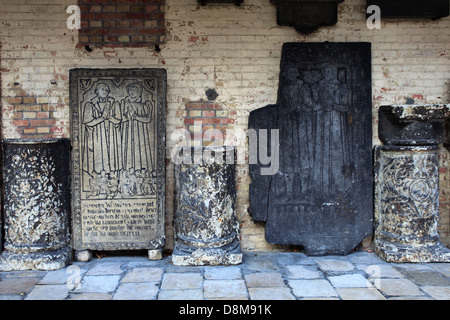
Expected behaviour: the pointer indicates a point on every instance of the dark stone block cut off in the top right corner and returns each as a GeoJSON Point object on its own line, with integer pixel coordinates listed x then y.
{"type": "Point", "coordinates": [431, 9]}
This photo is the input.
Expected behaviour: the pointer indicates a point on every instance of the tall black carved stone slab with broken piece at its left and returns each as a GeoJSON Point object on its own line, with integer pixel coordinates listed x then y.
{"type": "Point", "coordinates": [321, 196]}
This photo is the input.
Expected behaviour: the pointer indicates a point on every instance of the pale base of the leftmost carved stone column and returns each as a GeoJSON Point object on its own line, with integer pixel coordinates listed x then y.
{"type": "Point", "coordinates": [46, 260]}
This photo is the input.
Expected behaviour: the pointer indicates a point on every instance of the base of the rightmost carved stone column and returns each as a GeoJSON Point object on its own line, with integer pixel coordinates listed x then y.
{"type": "Point", "coordinates": [401, 253]}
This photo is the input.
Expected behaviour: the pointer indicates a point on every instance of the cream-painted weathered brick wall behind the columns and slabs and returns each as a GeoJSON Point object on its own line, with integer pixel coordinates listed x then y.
{"type": "Point", "coordinates": [234, 50]}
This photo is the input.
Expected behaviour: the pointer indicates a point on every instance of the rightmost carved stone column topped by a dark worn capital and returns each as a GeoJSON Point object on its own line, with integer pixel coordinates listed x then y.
{"type": "Point", "coordinates": [407, 184]}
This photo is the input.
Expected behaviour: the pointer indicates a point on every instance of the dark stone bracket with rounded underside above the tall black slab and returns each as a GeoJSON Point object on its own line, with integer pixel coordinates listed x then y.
{"type": "Point", "coordinates": [306, 16]}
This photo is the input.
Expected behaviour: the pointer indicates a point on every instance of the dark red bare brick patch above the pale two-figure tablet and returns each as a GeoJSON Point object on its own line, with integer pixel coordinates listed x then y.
{"type": "Point", "coordinates": [121, 23]}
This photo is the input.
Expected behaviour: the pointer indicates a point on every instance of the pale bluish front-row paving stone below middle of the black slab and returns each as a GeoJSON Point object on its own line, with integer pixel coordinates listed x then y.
{"type": "Point", "coordinates": [312, 288]}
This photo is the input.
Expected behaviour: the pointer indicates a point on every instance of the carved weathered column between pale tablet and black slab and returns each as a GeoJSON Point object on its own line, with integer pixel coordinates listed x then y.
{"type": "Point", "coordinates": [206, 227]}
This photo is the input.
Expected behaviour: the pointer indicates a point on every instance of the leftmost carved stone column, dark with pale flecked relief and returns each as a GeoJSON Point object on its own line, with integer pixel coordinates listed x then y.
{"type": "Point", "coordinates": [36, 204]}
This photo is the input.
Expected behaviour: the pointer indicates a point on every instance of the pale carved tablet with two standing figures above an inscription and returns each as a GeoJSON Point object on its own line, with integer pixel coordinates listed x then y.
{"type": "Point", "coordinates": [118, 158]}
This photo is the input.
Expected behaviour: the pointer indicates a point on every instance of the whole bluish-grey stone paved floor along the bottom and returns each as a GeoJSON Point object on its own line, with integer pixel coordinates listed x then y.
{"type": "Point", "coordinates": [262, 276]}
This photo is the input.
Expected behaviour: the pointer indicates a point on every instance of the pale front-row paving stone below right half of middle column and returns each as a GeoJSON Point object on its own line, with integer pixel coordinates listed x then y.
{"type": "Point", "coordinates": [225, 289]}
